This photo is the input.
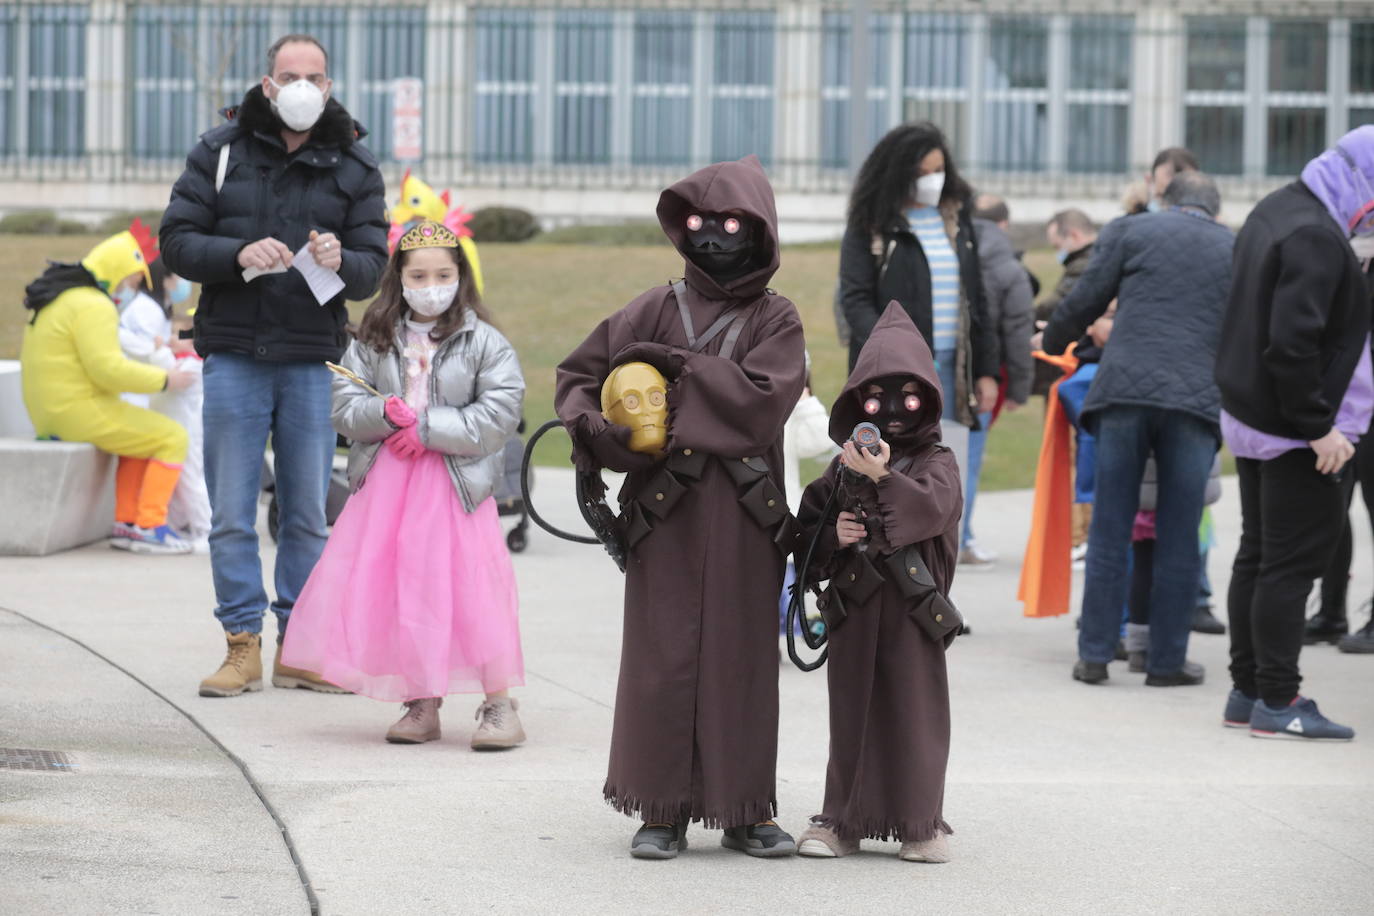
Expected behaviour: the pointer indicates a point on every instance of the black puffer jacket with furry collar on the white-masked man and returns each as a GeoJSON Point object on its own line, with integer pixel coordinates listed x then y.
{"type": "Point", "coordinates": [330, 185]}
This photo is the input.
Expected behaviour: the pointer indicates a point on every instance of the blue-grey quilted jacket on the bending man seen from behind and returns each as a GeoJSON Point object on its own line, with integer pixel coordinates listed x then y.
{"type": "Point", "coordinates": [1171, 274]}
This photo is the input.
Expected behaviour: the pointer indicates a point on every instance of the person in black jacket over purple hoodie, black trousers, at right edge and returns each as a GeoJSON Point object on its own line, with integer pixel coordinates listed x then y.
{"type": "Point", "coordinates": [1298, 392]}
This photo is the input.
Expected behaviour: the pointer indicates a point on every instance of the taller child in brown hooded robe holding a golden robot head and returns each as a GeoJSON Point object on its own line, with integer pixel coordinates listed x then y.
{"type": "Point", "coordinates": [707, 524]}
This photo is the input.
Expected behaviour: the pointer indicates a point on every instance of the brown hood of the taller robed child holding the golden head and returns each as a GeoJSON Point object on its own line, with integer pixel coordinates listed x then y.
{"type": "Point", "coordinates": [726, 187]}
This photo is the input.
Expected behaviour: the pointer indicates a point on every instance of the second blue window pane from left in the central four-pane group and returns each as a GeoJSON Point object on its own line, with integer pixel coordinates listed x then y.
{"type": "Point", "coordinates": [583, 67]}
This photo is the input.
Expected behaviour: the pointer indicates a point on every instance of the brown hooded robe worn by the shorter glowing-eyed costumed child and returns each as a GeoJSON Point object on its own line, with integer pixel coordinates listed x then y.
{"type": "Point", "coordinates": [890, 694]}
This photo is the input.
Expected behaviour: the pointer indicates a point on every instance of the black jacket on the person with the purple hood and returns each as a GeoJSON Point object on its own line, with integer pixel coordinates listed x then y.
{"type": "Point", "coordinates": [1296, 322]}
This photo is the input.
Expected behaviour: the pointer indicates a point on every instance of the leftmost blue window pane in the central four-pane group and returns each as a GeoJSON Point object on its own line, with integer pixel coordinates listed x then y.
{"type": "Point", "coordinates": [504, 109]}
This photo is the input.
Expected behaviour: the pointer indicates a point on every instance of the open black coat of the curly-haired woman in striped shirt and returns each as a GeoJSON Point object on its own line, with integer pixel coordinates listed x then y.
{"type": "Point", "coordinates": [876, 270]}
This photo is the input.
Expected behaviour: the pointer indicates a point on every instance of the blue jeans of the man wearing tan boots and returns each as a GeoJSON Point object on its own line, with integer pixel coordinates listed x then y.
{"type": "Point", "coordinates": [245, 402]}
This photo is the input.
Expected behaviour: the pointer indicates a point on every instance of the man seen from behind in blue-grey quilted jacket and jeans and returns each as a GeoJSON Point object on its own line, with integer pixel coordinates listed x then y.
{"type": "Point", "coordinates": [1153, 392]}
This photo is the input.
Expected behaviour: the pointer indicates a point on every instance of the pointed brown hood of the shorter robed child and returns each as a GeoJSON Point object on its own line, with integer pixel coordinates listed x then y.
{"type": "Point", "coordinates": [895, 348]}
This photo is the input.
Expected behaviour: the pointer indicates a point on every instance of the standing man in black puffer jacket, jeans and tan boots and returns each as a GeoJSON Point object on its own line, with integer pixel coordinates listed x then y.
{"type": "Point", "coordinates": [285, 174]}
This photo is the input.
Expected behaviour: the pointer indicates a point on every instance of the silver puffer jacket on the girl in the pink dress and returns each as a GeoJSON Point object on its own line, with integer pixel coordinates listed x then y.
{"type": "Point", "coordinates": [475, 406]}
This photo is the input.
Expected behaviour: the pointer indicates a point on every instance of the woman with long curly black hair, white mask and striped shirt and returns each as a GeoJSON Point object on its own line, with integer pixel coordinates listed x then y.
{"type": "Point", "coordinates": [909, 190]}
